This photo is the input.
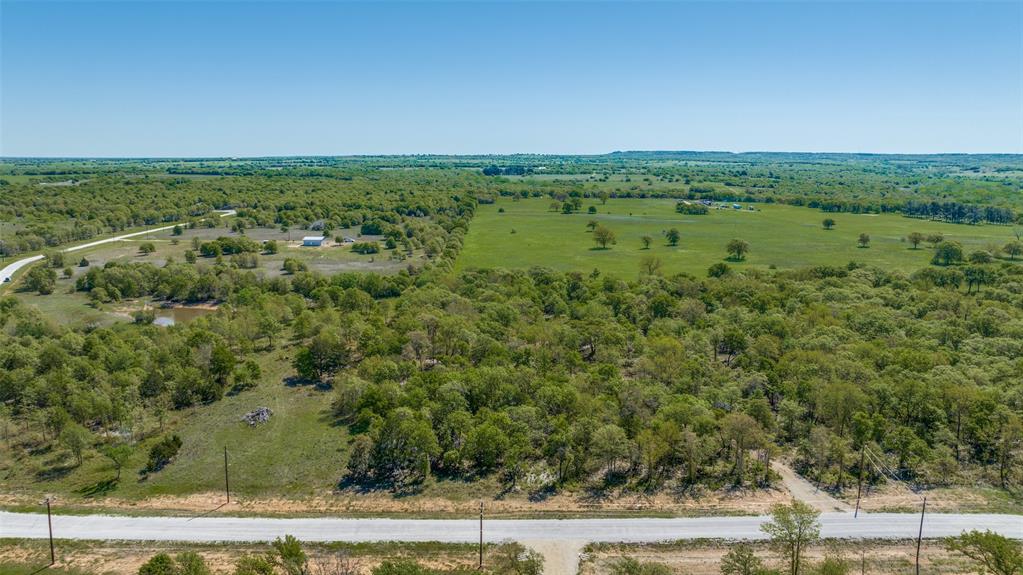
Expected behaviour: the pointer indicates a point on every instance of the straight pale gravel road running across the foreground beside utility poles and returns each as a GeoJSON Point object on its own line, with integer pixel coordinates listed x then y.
{"type": "Point", "coordinates": [877, 526]}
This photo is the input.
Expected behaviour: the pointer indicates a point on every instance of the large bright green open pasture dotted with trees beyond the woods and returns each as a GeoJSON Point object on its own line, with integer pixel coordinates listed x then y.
{"type": "Point", "coordinates": [528, 234]}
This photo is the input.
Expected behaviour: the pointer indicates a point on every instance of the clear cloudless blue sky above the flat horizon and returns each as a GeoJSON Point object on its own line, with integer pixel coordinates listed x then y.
{"type": "Point", "coordinates": [148, 79]}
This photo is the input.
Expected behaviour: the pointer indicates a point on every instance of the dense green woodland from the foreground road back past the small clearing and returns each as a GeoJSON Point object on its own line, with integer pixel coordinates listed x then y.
{"type": "Point", "coordinates": [658, 382]}
